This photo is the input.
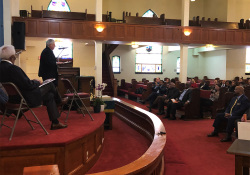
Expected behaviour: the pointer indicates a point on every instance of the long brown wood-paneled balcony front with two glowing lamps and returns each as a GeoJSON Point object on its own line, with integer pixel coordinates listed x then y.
{"type": "Point", "coordinates": [76, 29]}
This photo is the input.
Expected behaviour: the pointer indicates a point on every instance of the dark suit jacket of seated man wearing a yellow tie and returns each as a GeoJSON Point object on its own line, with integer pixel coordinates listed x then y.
{"type": "Point", "coordinates": [241, 106]}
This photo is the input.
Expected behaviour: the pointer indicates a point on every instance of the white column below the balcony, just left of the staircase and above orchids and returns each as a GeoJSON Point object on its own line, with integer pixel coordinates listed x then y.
{"type": "Point", "coordinates": [98, 63]}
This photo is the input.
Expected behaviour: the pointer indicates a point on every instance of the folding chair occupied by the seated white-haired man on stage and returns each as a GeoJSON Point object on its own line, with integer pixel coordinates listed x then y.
{"type": "Point", "coordinates": [20, 108]}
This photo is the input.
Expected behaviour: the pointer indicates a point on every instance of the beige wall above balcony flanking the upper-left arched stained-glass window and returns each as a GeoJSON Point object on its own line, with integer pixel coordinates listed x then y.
{"type": "Point", "coordinates": [75, 5]}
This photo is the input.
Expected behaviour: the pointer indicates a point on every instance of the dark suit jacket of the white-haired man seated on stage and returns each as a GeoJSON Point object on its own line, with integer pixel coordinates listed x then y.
{"type": "Point", "coordinates": [29, 88]}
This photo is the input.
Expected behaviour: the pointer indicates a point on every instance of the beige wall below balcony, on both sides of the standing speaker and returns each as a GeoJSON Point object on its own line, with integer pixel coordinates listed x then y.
{"type": "Point", "coordinates": [83, 57]}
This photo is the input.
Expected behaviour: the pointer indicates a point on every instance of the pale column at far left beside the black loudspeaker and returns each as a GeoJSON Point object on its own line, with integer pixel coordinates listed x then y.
{"type": "Point", "coordinates": [7, 21]}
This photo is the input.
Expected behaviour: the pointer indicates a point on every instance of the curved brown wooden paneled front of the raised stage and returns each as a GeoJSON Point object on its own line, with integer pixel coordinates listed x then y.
{"type": "Point", "coordinates": [76, 157]}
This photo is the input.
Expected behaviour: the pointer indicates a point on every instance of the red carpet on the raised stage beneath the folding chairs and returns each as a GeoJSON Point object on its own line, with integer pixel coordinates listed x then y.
{"type": "Point", "coordinates": [24, 136]}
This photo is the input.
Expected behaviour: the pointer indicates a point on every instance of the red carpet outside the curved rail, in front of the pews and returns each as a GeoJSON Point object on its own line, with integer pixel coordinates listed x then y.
{"type": "Point", "coordinates": [189, 151]}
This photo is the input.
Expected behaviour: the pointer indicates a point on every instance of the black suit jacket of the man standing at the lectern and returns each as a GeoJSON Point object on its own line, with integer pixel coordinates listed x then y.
{"type": "Point", "coordinates": [48, 67]}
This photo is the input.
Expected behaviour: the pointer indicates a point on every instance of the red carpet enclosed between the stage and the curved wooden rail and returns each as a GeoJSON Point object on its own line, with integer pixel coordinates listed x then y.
{"type": "Point", "coordinates": [122, 145]}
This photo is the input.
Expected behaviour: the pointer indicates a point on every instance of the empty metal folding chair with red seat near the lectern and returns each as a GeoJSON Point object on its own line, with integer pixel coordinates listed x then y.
{"type": "Point", "coordinates": [73, 95]}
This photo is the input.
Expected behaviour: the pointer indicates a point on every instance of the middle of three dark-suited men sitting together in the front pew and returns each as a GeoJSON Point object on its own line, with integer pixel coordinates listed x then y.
{"type": "Point", "coordinates": [160, 101]}
